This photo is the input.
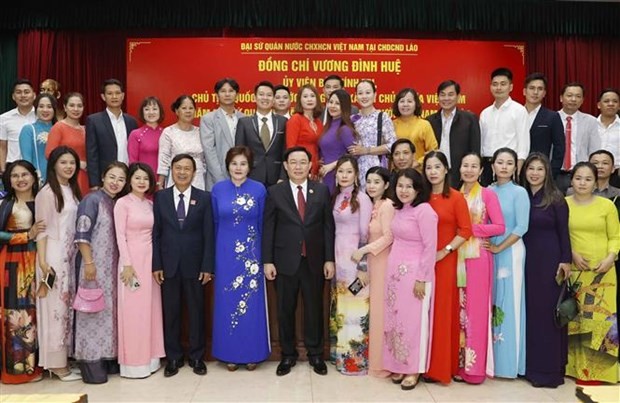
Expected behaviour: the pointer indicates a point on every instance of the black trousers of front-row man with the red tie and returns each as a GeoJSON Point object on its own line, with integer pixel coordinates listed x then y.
{"type": "Point", "coordinates": [287, 288]}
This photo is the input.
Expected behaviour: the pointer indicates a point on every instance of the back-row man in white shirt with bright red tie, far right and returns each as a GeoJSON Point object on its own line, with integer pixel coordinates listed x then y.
{"type": "Point", "coordinates": [580, 132]}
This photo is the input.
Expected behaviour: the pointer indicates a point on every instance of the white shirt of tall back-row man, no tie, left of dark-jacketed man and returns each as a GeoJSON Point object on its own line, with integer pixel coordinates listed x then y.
{"type": "Point", "coordinates": [505, 126]}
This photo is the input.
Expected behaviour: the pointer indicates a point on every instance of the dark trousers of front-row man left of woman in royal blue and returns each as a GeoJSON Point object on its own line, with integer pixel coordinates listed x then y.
{"type": "Point", "coordinates": [174, 289]}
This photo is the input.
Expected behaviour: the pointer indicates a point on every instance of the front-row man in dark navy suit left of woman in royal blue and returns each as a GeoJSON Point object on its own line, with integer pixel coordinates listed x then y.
{"type": "Point", "coordinates": [183, 261]}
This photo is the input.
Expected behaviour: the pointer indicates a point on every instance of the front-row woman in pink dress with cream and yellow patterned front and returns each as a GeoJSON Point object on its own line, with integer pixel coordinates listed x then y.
{"type": "Point", "coordinates": [476, 266]}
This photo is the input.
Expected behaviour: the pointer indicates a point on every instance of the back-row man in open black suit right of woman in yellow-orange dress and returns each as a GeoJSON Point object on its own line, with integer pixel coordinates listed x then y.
{"type": "Point", "coordinates": [457, 131]}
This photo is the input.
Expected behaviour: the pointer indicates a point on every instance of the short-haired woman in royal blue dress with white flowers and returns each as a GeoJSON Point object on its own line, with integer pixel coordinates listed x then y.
{"type": "Point", "coordinates": [240, 324]}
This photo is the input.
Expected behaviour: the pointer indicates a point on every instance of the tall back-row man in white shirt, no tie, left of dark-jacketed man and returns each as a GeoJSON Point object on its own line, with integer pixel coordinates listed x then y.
{"type": "Point", "coordinates": [502, 124]}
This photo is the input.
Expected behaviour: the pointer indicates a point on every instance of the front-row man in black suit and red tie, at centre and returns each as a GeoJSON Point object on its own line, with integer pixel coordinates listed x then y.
{"type": "Point", "coordinates": [298, 252]}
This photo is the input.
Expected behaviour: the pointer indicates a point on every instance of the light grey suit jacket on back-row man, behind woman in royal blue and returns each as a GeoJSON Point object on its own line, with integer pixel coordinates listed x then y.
{"type": "Point", "coordinates": [216, 140]}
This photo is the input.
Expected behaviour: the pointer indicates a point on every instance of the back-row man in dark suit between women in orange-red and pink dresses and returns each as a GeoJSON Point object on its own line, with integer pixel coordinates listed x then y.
{"type": "Point", "coordinates": [107, 132]}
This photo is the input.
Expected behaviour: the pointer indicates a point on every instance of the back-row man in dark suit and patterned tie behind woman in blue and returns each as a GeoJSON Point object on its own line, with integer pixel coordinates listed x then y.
{"type": "Point", "coordinates": [265, 134]}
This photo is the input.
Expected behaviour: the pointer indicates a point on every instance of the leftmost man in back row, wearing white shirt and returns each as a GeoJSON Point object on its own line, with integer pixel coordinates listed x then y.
{"type": "Point", "coordinates": [11, 122]}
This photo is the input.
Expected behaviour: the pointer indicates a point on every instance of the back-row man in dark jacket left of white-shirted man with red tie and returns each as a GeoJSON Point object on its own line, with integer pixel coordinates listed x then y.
{"type": "Point", "coordinates": [546, 130]}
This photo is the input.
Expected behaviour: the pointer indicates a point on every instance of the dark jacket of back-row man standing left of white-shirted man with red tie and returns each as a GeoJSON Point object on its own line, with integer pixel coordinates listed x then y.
{"type": "Point", "coordinates": [547, 137]}
